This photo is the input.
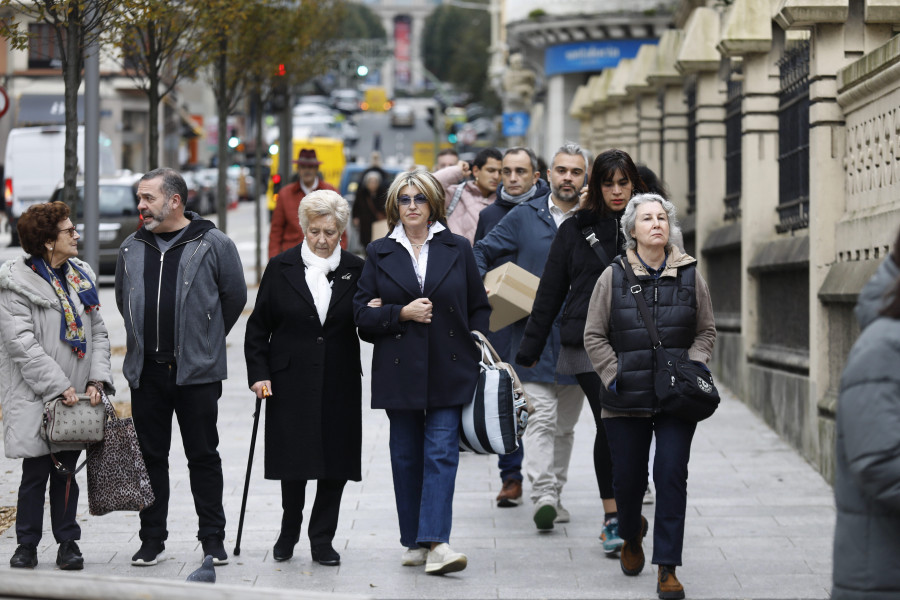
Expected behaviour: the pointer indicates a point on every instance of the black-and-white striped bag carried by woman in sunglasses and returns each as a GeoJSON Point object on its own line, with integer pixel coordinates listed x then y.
{"type": "Point", "coordinates": [495, 419]}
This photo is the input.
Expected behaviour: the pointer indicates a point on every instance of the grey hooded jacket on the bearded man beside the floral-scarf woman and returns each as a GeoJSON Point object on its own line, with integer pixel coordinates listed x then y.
{"type": "Point", "coordinates": [208, 301]}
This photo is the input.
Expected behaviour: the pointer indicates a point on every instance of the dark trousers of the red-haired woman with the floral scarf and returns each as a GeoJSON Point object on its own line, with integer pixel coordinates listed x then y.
{"type": "Point", "coordinates": [30, 506]}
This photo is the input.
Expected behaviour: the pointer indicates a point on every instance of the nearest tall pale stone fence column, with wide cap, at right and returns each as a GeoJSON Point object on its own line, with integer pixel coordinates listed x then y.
{"type": "Point", "coordinates": [839, 34]}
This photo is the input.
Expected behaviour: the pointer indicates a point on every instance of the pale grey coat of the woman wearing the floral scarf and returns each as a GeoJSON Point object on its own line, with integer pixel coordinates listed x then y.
{"type": "Point", "coordinates": [35, 365]}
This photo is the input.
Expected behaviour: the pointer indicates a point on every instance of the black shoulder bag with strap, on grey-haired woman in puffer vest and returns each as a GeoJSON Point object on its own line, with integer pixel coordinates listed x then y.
{"type": "Point", "coordinates": [683, 388]}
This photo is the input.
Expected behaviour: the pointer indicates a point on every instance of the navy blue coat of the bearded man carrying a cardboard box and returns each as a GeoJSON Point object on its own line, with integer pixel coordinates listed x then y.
{"type": "Point", "coordinates": [524, 235]}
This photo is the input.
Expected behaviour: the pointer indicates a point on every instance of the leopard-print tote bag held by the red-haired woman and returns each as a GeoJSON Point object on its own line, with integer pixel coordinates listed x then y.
{"type": "Point", "coordinates": [117, 475]}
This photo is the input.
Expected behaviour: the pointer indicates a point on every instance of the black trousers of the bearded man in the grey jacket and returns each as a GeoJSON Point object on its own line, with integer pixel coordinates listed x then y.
{"type": "Point", "coordinates": [197, 409]}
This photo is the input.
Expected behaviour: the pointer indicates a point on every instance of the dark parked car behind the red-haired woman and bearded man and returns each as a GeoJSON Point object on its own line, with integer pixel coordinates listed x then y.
{"type": "Point", "coordinates": [119, 216]}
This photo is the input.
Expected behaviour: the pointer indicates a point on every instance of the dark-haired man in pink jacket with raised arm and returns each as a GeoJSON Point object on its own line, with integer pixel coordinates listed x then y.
{"type": "Point", "coordinates": [465, 197]}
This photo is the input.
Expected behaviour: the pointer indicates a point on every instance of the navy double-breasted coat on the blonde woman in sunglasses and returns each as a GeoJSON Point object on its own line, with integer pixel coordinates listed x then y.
{"type": "Point", "coordinates": [420, 365]}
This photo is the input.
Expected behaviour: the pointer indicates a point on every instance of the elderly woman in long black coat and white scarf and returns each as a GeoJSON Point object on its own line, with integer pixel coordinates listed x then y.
{"type": "Point", "coordinates": [301, 347]}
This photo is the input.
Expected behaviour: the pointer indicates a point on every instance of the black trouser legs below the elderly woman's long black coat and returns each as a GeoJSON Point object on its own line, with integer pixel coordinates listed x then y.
{"type": "Point", "coordinates": [322, 520]}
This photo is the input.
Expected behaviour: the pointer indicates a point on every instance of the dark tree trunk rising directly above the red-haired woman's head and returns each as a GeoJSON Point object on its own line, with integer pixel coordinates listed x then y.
{"type": "Point", "coordinates": [72, 80]}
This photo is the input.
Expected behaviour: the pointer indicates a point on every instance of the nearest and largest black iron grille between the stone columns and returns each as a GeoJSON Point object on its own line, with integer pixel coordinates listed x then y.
{"type": "Point", "coordinates": [793, 139]}
